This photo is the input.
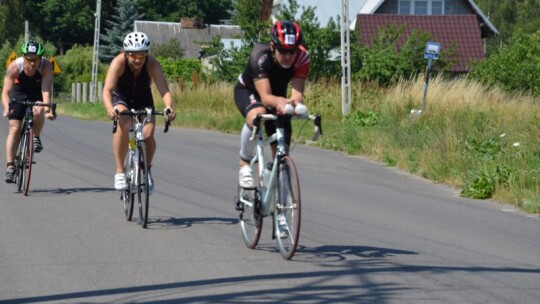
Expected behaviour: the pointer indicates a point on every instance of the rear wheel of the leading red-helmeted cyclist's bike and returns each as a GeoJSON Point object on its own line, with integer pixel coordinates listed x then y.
{"type": "Point", "coordinates": [250, 218]}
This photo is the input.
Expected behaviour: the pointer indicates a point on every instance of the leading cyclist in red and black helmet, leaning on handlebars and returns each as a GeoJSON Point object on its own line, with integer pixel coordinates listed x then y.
{"type": "Point", "coordinates": [262, 87]}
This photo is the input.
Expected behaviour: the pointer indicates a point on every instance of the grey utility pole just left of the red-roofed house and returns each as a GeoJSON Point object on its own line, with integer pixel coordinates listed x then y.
{"type": "Point", "coordinates": [345, 60]}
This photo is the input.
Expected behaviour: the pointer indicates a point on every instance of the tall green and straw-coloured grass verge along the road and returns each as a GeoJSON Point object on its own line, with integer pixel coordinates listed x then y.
{"type": "Point", "coordinates": [482, 141]}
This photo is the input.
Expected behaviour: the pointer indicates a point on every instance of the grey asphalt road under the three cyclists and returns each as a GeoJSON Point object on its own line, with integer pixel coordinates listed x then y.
{"type": "Point", "coordinates": [370, 234]}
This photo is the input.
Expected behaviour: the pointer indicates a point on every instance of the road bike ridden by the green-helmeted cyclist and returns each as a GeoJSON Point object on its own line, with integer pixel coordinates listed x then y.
{"type": "Point", "coordinates": [24, 158]}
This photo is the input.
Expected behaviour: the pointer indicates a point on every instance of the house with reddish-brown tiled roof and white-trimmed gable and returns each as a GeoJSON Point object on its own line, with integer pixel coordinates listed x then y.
{"type": "Point", "coordinates": [458, 23]}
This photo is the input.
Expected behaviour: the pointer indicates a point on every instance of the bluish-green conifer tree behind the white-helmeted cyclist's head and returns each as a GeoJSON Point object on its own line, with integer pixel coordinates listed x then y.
{"type": "Point", "coordinates": [116, 29]}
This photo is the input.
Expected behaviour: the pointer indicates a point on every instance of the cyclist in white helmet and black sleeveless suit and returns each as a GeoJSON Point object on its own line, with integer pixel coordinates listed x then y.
{"type": "Point", "coordinates": [127, 86]}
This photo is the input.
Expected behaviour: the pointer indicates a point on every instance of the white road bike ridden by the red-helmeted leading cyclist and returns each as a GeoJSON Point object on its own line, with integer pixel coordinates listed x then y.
{"type": "Point", "coordinates": [277, 191]}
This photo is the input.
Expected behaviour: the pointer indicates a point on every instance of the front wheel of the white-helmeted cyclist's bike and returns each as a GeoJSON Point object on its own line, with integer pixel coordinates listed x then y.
{"type": "Point", "coordinates": [142, 184]}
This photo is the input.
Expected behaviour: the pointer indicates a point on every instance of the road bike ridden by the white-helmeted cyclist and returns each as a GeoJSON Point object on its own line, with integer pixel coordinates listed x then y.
{"type": "Point", "coordinates": [136, 163]}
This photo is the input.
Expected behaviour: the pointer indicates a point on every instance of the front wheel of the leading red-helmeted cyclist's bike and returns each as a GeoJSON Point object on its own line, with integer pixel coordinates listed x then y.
{"type": "Point", "coordinates": [289, 206]}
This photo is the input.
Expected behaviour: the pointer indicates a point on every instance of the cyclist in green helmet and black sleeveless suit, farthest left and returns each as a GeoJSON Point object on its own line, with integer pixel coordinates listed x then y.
{"type": "Point", "coordinates": [28, 77]}
